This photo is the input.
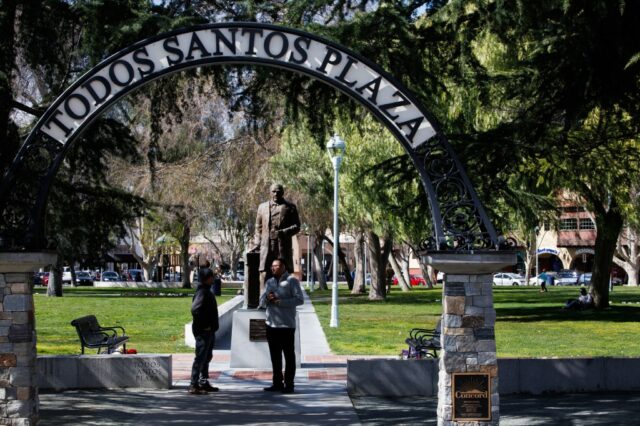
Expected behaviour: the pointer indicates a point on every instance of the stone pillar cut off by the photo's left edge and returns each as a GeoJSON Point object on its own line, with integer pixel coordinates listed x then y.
{"type": "Point", "coordinates": [18, 391]}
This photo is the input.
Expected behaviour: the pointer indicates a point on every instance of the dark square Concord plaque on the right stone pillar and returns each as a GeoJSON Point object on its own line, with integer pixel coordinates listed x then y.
{"type": "Point", "coordinates": [471, 396]}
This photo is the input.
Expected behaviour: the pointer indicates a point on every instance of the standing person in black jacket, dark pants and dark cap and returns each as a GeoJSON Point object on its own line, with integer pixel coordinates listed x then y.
{"type": "Point", "coordinates": [204, 310]}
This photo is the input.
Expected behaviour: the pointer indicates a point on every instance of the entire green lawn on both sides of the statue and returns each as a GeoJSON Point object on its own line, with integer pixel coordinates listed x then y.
{"type": "Point", "coordinates": [530, 323]}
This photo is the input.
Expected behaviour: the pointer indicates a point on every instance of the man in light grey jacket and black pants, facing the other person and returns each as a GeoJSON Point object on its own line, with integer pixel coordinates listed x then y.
{"type": "Point", "coordinates": [281, 295]}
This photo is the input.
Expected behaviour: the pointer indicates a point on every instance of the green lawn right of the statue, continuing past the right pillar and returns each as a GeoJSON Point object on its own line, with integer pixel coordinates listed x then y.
{"type": "Point", "coordinates": [529, 323]}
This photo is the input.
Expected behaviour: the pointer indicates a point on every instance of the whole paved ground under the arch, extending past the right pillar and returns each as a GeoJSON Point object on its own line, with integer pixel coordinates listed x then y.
{"type": "Point", "coordinates": [320, 398]}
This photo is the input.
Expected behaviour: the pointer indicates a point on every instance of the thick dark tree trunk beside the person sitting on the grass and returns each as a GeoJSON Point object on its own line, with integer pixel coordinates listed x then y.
{"type": "Point", "coordinates": [609, 225]}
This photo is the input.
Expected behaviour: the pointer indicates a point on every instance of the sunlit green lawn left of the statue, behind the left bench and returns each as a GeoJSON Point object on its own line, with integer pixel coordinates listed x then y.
{"type": "Point", "coordinates": [154, 318]}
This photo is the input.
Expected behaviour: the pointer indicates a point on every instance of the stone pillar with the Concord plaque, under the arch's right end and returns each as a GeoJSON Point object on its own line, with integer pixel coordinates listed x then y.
{"type": "Point", "coordinates": [468, 340]}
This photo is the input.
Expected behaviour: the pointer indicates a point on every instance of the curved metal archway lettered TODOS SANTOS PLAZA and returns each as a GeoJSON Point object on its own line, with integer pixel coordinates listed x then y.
{"type": "Point", "coordinates": [459, 219]}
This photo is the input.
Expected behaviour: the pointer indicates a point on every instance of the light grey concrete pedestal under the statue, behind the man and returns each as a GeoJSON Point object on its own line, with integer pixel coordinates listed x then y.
{"type": "Point", "coordinates": [253, 354]}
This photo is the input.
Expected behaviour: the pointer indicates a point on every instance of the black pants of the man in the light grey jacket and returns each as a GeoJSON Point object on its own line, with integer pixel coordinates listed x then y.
{"type": "Point", "coordinates": [281, 340]}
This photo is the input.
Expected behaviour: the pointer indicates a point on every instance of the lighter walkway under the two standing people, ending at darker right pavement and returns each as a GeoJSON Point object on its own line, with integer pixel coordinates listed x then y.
{"type": "Point", "coordinates": [320, 397]}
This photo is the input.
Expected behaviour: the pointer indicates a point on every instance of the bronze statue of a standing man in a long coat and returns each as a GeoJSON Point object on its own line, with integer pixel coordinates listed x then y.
{"type": "Point", "coordinates": [277, 222]}
